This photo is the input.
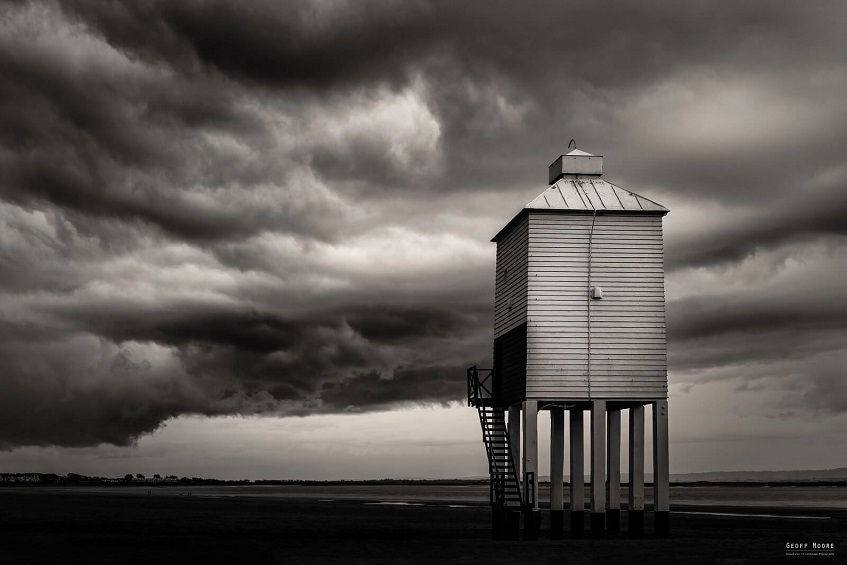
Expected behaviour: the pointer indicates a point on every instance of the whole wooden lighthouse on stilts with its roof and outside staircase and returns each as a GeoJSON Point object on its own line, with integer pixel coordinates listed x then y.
{"type": "Point", "coordinates": [579, 327]}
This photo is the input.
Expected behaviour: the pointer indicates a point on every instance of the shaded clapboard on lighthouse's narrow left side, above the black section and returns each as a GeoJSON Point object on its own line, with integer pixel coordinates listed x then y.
{"type": "Point", "coordinates": [510, 295]}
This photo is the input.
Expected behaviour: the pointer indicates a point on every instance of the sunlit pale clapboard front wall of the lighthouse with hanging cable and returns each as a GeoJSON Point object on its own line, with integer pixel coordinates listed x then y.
{"type": "Point", "coordinates": [628, 348]}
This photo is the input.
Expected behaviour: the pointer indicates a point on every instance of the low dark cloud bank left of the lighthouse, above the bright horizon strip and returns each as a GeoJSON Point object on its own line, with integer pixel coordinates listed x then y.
{"type": "Point", "coordinates": [221, 362]}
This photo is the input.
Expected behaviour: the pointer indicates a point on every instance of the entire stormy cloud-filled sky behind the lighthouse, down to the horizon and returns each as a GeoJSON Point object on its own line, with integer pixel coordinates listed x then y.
{"type": "Point", "coordinates": [251, 239]}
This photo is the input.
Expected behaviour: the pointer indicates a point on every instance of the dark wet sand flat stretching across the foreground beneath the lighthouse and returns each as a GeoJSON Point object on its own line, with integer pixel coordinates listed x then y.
{"type": "Point", "coordinates": [103, 525]}
